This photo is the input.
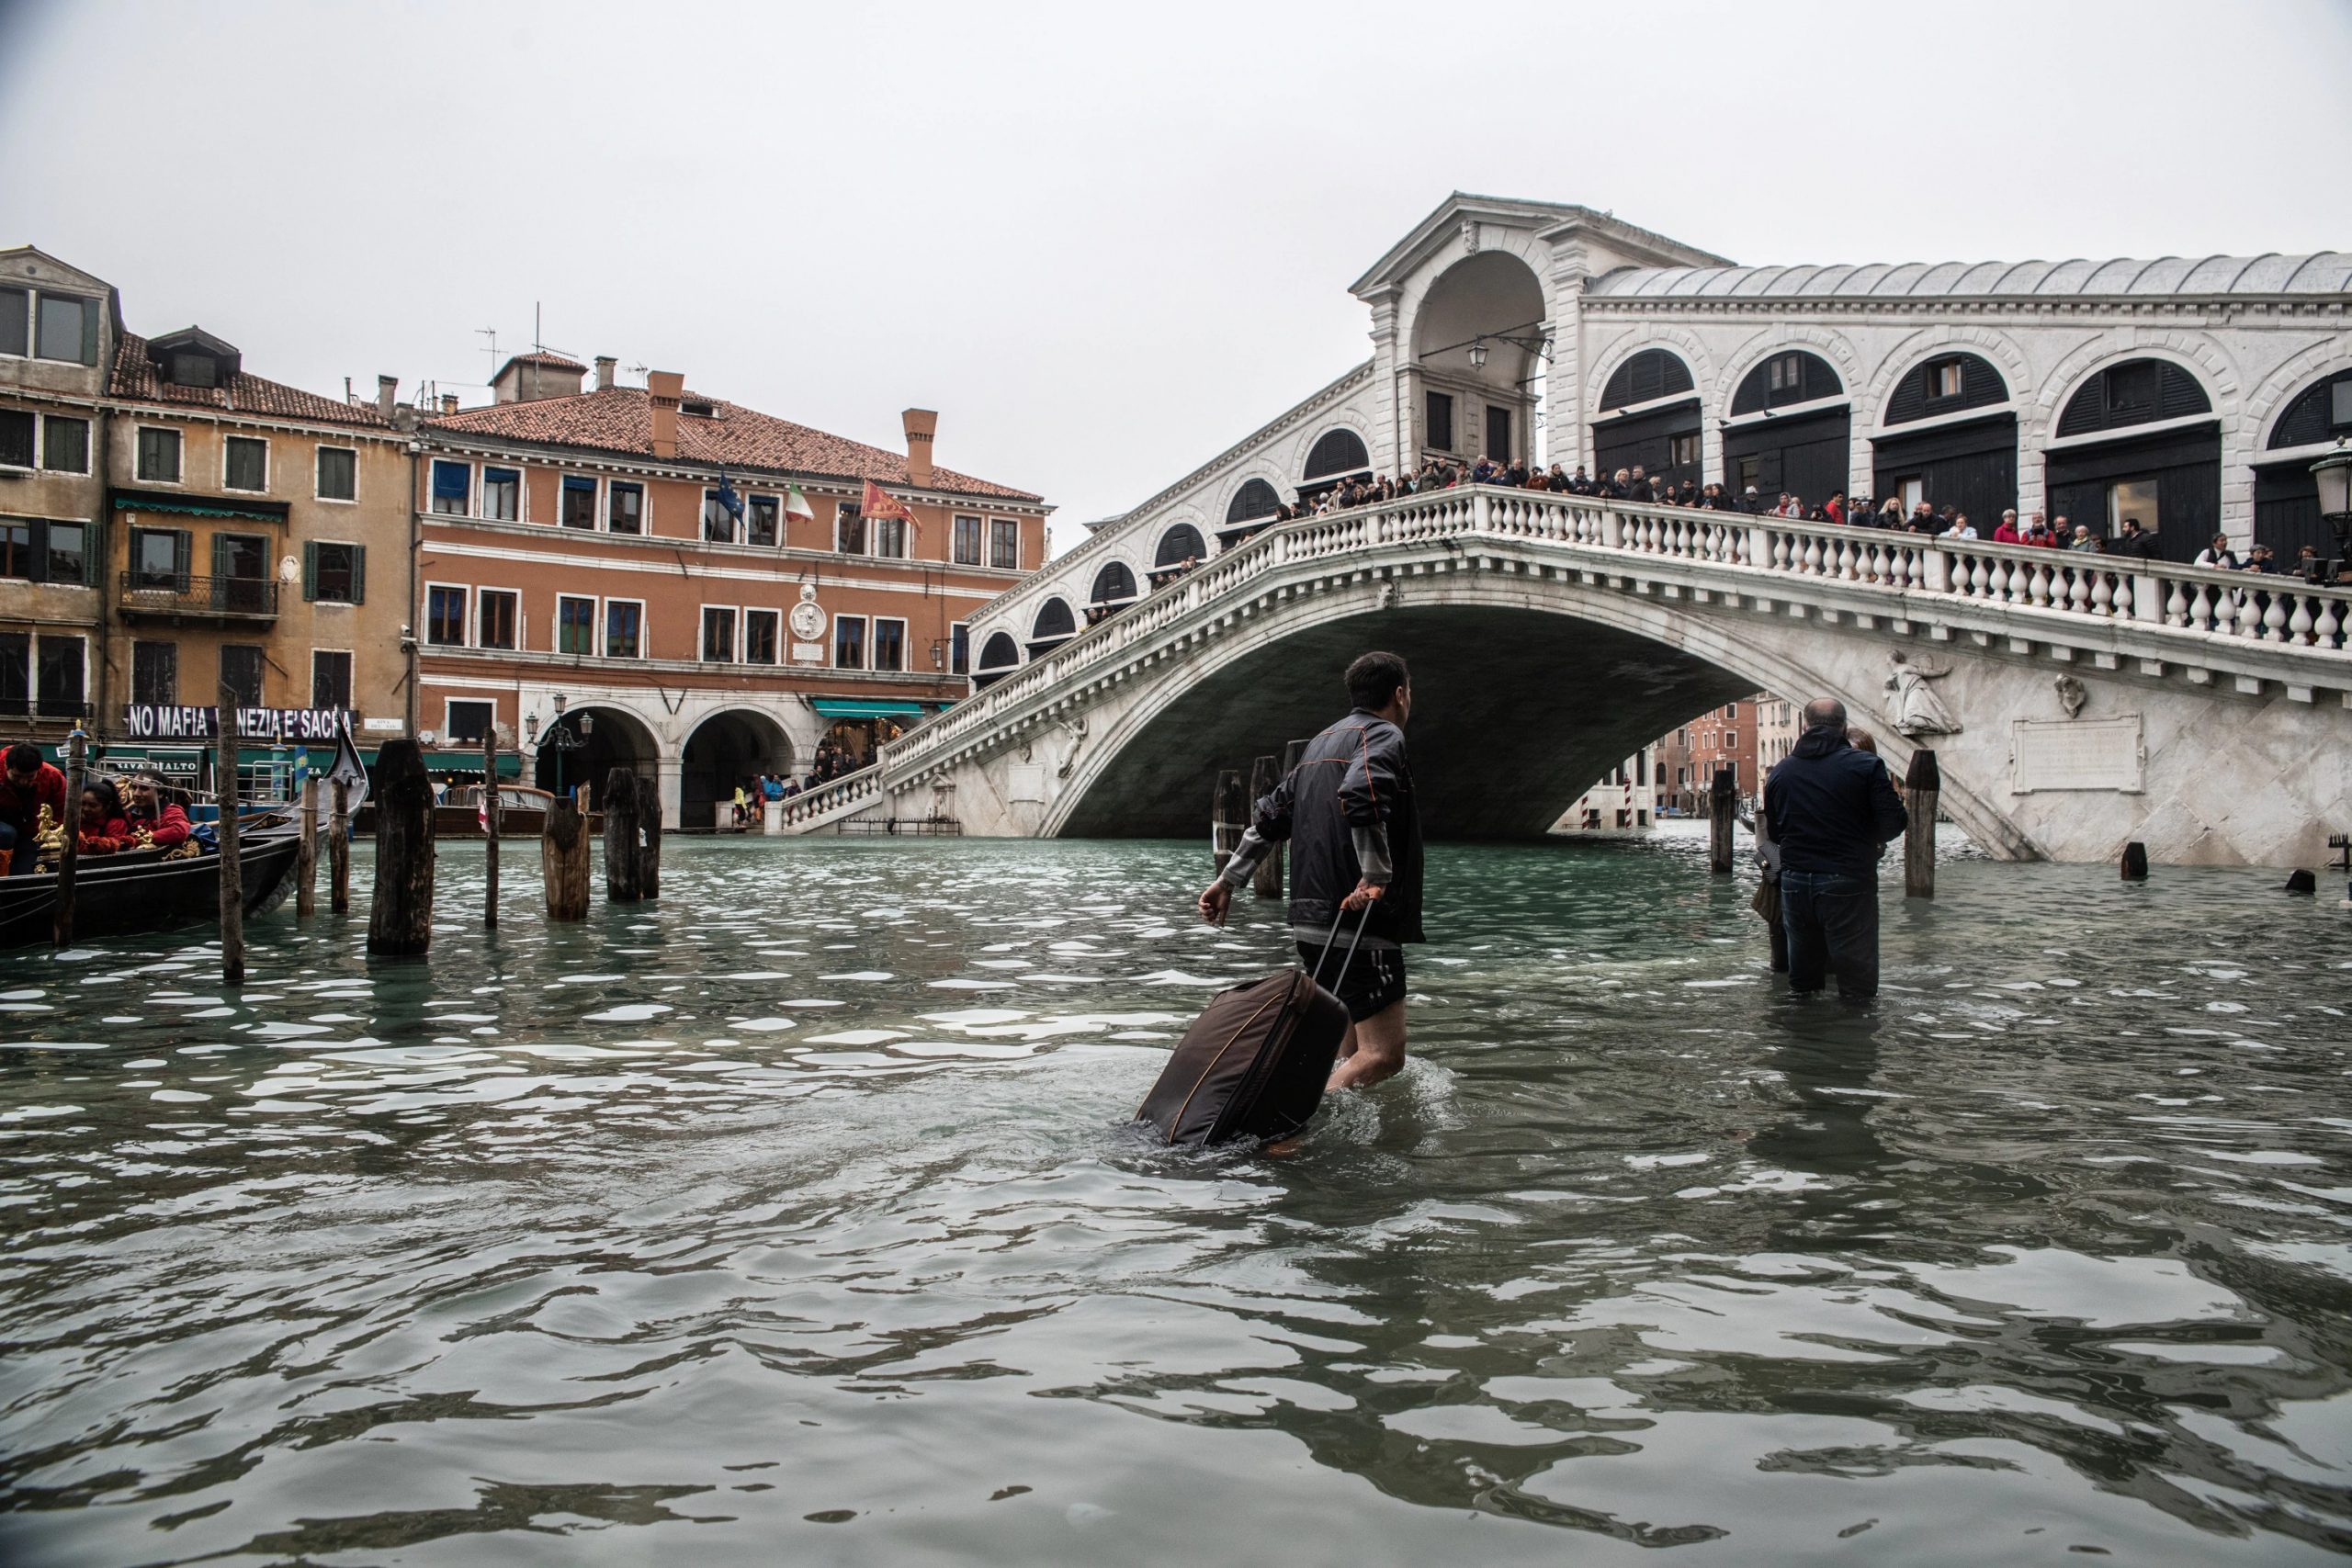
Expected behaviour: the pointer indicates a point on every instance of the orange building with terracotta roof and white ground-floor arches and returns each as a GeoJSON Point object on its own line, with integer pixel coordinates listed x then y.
{"type": "Point", "coordinates": [669, 582]}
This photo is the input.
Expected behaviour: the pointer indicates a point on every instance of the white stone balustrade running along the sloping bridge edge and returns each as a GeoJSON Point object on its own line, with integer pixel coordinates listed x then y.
{"type": "Point", "coordinates": [2219, 605]}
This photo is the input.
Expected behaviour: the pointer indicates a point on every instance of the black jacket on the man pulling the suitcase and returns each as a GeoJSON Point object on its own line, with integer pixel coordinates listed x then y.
{"type": "Point", "coordinates": [1351, 777]}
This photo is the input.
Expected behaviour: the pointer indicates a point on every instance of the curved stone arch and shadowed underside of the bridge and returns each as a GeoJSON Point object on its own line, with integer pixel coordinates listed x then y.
{"type": "Point", "coordinates": [1525, 695]}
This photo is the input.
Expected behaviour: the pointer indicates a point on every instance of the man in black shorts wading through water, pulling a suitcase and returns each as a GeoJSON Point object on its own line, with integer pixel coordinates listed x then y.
{"type": "Point", "coordinates": [1356, 843]}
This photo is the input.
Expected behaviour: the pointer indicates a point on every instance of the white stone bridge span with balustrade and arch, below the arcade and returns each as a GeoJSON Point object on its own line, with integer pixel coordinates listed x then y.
{"type": "Point", "coordinates": [2076, 702]}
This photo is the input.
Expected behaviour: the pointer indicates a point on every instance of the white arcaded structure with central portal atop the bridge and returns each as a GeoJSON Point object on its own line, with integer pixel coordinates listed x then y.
{"type": "Point", "coordinates": [2191, 394]}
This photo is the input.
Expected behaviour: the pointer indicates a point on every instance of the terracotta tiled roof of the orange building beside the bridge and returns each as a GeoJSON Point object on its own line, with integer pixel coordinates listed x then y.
{"type": "Point", "coordinates": [622, 422]}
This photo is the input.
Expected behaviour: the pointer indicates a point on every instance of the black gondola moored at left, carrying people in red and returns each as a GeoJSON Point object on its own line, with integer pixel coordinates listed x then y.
{"type": "Point", "coordinates": [140, 890]}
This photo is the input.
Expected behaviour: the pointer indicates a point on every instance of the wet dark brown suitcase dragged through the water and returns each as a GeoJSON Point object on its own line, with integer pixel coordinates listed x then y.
{"type": "Point", "coordinates": [1255, 1061]}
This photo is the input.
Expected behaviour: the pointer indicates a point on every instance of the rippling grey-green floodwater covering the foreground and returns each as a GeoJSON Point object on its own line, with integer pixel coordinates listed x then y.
{"type": "Point", "coordinates": [791, 1221]}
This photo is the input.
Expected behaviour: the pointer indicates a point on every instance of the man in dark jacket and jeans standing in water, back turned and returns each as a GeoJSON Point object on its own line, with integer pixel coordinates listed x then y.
{"type": "Point", "coordinates": [1831, 810]}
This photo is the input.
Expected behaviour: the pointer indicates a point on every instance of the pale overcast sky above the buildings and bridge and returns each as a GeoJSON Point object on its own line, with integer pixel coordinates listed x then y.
{"type": "Point", "coordinates": [1102, 241]}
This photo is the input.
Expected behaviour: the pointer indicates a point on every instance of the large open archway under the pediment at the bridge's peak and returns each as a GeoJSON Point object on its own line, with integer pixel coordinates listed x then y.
{"type": "Point", "coordinates": [1478, 363]}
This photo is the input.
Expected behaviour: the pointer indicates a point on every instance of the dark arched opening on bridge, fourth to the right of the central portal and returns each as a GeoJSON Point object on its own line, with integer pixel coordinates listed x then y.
{"type": "Point", "coordinates": [2102, 469]}
